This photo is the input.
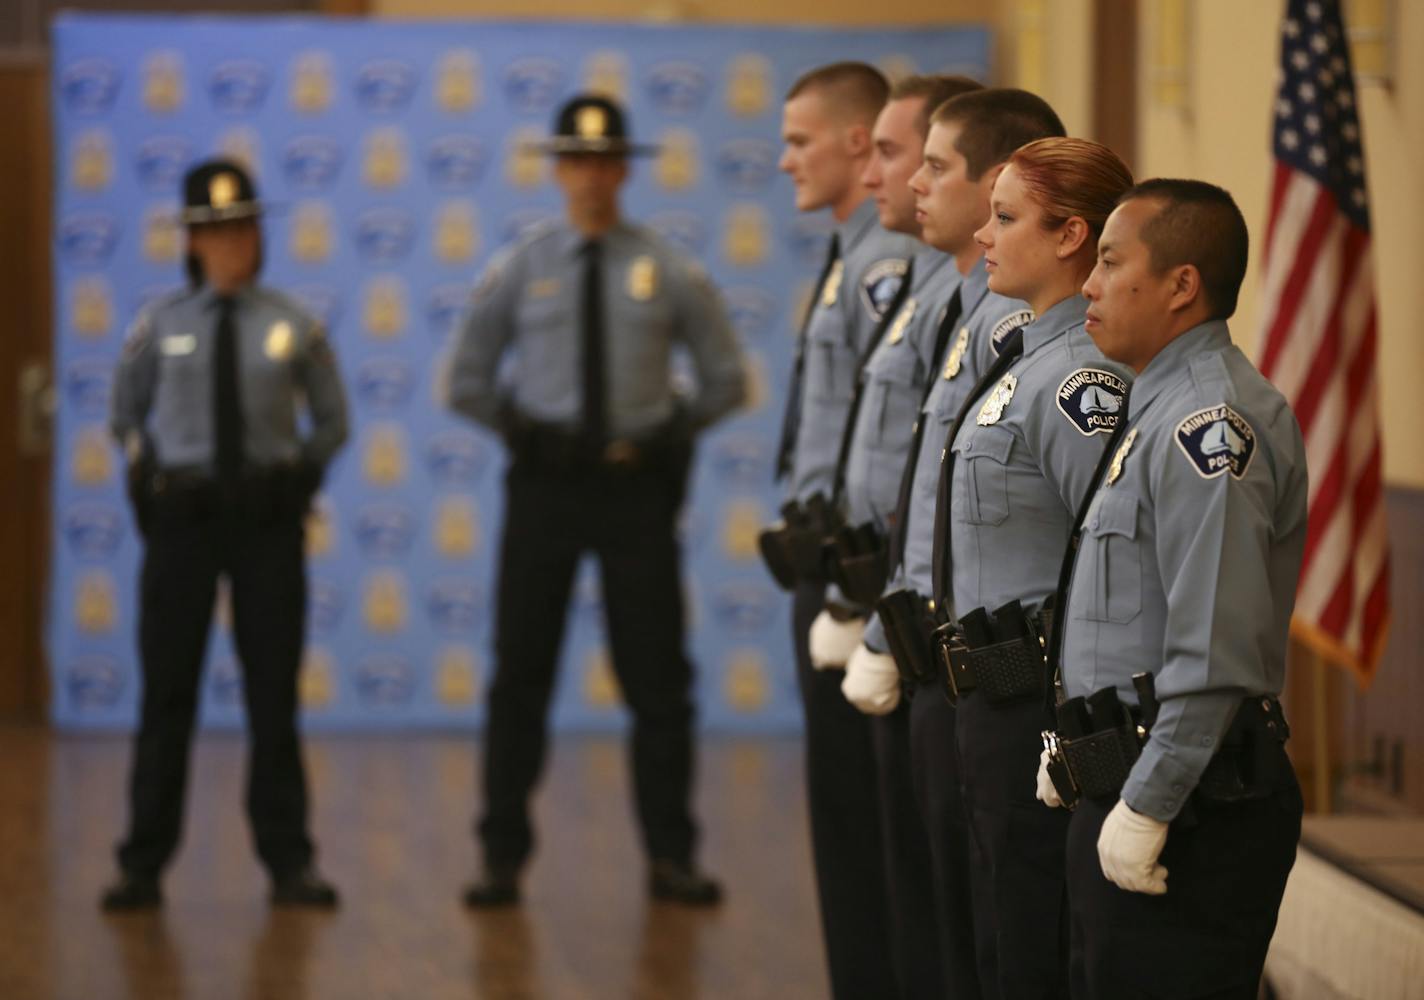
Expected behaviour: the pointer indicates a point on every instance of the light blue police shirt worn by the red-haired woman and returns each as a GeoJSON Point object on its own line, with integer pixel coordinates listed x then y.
{"type": "Point", "coordinates": [1025, 459]}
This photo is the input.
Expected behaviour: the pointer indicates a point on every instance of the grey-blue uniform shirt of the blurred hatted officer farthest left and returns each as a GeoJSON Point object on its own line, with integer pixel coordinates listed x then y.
{"type": "Point", "coordinates": [164, 385]}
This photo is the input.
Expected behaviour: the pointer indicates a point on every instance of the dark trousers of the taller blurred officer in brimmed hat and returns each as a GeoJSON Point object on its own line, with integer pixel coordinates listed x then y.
{"type": "Point", "coordinates": [627, 518]}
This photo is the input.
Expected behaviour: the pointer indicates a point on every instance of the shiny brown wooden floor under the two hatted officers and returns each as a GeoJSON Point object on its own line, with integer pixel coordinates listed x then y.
{"type": "Point", "coordinates": [392, 817]}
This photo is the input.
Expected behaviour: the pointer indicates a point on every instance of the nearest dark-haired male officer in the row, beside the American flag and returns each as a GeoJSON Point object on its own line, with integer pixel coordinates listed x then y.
{"type": "Point", "coordinates": [1187, 572]}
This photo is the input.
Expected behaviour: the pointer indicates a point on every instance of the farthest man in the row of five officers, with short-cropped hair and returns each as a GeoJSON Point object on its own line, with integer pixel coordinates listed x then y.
{"type": "Point", "coordinates": [827, 129]}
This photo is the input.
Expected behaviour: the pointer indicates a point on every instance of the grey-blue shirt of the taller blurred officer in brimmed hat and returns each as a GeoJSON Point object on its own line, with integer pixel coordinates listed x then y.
{"type": "Point", "coordinates": [654, 300]}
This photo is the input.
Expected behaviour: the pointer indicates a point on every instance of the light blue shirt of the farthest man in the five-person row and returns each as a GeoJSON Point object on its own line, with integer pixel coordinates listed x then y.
{"type": "Point", "coordinates": [842, 324]}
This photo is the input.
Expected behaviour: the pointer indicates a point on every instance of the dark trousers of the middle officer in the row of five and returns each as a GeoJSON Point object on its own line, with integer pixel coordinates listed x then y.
{"type": "Point", "coordinates": [936, 774]}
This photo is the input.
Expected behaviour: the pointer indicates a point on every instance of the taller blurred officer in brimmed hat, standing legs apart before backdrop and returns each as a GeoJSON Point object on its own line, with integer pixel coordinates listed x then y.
{"type": "Point", "coordinates": [593, 310]}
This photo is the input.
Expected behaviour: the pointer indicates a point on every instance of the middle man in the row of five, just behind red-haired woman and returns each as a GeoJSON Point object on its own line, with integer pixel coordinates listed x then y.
{"type": "Point", "coordinates": [970, 137]}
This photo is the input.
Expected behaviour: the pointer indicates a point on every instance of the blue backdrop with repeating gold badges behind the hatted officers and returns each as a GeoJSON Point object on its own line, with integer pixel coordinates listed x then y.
{"type": "Point", "coordinates": [392, 157]}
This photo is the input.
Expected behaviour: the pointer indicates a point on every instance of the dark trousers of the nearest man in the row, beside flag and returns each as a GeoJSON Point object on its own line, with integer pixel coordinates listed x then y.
{"type": "Point", "coordinates": [1207, 938]}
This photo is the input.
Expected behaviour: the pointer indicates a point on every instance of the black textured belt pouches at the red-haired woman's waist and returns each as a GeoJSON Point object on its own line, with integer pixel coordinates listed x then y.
{"type": "Point", "coordinates": [1000, 655]}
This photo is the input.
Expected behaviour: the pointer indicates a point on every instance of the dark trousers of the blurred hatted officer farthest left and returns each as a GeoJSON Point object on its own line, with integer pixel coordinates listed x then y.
{"type": "Point", "coordinates": [192, 541]}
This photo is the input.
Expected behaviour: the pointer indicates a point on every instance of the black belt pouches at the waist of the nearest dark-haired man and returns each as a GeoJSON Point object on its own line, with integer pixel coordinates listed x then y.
{"type": "Point", "coordinates": [1099, 740]}
